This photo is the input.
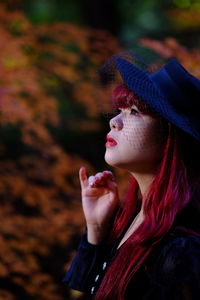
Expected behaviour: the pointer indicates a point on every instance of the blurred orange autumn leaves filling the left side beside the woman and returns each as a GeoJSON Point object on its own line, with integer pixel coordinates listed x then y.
{"type": "Point", "coordinates": [46, 101]}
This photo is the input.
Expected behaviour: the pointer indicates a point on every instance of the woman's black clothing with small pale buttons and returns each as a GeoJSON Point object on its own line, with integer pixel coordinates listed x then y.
{"type": "Point", "coordinates": [171, 271]}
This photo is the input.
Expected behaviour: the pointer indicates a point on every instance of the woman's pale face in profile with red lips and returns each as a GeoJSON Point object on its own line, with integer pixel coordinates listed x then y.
{"type": "Point", "coordinates": [138, 141]}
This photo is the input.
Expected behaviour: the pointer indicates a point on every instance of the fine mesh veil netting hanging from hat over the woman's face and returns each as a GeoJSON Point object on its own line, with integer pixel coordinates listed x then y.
{"type": "Point", "coordinates": [139, 135]}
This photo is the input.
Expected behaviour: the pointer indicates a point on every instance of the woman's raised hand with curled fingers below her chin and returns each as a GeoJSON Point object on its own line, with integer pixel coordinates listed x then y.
{"type": "Point", "coordinates": [99, 199]}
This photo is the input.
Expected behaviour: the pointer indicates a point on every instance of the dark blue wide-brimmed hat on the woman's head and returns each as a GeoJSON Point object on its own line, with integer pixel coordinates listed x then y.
{"type": "Point", "coordinates": [171, 91]}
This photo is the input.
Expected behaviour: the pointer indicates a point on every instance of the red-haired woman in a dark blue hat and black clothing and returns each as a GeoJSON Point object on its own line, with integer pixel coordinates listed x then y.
{"type": "Point", "coordinates": [147, 247]}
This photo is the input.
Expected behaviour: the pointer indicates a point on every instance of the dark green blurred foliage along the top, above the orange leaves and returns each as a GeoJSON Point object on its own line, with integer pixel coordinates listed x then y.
{"type": "Point", "coordinates": [129, 19]}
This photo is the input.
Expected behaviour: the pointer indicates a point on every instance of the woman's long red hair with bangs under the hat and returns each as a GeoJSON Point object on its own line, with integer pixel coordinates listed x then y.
{"type": "Point", "coordinates": [168, 194]}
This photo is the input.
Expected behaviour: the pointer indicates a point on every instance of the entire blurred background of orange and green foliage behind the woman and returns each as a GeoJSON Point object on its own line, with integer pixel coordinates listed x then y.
{"type": "Point", "coordinates": [51, 124]}
